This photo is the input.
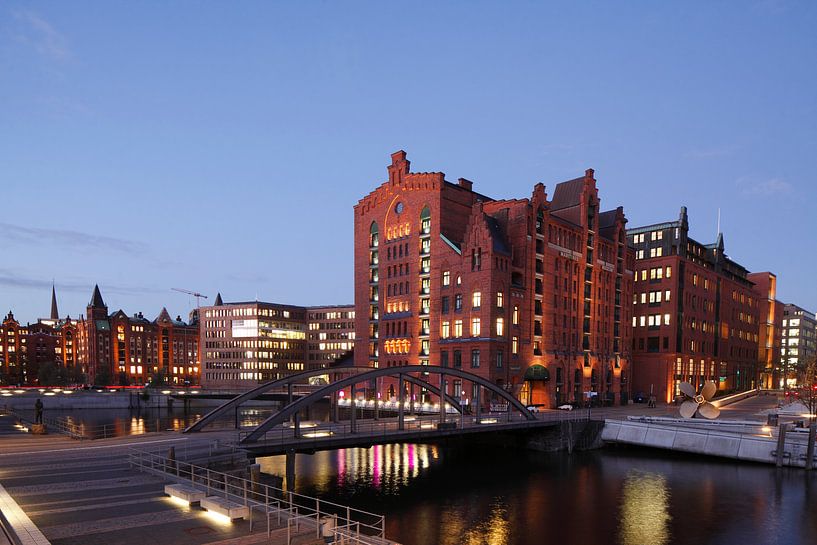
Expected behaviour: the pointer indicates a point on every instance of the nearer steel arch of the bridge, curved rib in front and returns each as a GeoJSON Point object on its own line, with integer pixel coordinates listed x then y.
{"type": "Point", "coordinates": [397, 372]}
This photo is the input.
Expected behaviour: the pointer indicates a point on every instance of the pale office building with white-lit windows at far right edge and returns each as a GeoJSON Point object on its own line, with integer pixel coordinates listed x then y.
{"type": "Point", "coordinates": [798, 346]}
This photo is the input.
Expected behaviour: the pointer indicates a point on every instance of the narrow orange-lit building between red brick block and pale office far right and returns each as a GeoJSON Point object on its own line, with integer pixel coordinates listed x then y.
{"type": "Point", "coordinates": [770, 328]}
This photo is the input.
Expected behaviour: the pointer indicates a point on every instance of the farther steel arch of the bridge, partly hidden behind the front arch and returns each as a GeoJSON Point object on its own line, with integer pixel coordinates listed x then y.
{"type": "Point", "coordinates": [290, 381]}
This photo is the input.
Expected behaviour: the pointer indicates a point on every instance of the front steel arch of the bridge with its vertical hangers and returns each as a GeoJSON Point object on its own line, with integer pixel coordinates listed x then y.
{"type": "Point", "coordinates": [400, 373]}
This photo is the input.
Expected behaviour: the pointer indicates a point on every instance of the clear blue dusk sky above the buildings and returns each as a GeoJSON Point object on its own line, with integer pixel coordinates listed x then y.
{"type": "Point", "coordinates": [221, 146]}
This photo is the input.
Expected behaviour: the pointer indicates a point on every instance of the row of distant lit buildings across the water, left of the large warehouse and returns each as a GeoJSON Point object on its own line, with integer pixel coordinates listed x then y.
{"type": "Point", "coordinates": [243, 344]}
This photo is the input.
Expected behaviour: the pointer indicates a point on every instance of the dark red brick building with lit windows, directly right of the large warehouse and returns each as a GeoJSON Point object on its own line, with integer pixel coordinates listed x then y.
{"type": "Point", "coordinates": [696, 314]}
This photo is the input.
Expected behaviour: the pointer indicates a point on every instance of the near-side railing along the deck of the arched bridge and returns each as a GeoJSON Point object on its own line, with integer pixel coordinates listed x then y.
{"type": "Point", "coordinates": [313, 434]}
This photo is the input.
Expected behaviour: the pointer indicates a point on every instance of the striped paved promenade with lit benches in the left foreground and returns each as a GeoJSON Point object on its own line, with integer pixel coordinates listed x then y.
{"type": "Point", "coordinates": [85, 493]}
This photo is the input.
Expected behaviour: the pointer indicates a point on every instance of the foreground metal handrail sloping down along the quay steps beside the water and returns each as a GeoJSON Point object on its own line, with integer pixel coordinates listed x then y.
{"type": "Point", "coordinates": [254, 494]}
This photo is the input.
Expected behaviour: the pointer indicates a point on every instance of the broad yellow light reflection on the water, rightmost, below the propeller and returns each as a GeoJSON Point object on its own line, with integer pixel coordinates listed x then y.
{"type": "Point", "coordinates": [644, 509]}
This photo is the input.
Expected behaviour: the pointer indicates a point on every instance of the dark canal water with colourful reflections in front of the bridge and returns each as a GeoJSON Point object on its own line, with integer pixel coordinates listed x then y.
{"type": "Point", "coordinates": [457, 496]}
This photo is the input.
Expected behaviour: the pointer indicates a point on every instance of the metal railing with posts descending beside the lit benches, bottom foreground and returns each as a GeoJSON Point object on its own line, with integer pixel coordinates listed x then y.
{"type": "Point", "coordinates": [353, 525]}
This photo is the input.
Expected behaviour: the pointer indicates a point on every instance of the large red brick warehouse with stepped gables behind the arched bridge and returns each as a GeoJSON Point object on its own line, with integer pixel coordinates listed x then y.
{"type": "Point", "coordinates": [532, 294]}
